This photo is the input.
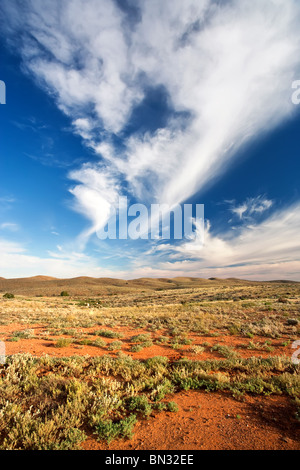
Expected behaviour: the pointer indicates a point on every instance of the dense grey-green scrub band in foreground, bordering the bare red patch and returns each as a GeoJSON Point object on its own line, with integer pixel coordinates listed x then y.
{"type": "Point", "coordinates": [49, 403]}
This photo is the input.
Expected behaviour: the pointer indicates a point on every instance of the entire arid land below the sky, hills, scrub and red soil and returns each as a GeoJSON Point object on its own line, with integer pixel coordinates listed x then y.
{"type": "Point", "coordinates": [156, 364]}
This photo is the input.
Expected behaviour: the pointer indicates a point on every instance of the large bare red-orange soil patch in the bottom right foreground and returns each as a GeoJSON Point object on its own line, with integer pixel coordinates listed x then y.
{"type": "Point", "coordinates": [214, 421]}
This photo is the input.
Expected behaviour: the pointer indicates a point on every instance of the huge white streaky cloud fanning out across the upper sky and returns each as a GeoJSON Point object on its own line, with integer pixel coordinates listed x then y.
{"type": "Point", "coordinates": [228, 65]}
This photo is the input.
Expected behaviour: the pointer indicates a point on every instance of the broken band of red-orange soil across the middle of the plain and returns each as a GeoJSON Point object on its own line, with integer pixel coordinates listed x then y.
{"type": "Point", "coordinates": [39, 347]}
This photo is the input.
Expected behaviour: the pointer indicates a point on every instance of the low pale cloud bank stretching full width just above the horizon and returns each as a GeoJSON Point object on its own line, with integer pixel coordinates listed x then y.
{"type": "Point", "coordinates": [266, 250]}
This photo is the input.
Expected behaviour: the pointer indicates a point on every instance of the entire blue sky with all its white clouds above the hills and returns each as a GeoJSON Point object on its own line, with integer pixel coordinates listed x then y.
{"type": "Point", "coordinates": [163, 102]}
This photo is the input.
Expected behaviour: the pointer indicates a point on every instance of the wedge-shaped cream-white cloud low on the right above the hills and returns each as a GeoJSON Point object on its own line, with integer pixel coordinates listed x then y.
{"type": "Point", "coordinates": [269, 246]}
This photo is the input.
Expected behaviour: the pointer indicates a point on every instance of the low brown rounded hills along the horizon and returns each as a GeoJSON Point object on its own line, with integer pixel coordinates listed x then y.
{"type": "Point", "coordinates": [89, 286]}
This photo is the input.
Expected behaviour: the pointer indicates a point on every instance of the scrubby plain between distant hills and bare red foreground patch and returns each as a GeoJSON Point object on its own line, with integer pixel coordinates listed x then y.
{"type": "Point", "coordinates": [230, 338]}
